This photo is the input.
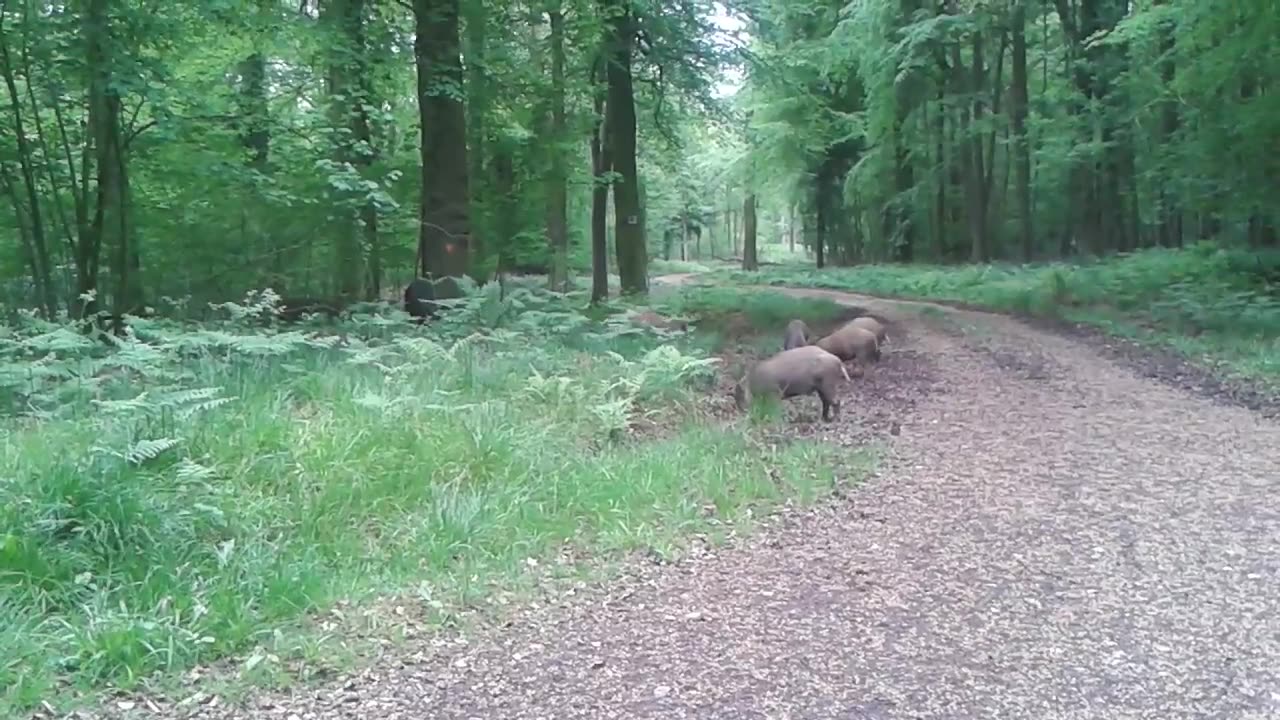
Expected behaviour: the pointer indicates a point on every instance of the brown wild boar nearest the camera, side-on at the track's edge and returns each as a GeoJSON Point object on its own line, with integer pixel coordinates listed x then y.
{"type": "Point", "coordinates": [801, 371]}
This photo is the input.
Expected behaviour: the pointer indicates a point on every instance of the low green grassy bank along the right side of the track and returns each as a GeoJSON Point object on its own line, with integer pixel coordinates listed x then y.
{"type": "Point", "coordinates": [1219, 308]}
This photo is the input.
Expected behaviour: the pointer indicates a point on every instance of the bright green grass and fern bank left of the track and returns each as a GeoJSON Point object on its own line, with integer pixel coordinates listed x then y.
{"type": "Point", "coordinates": [195, 494]}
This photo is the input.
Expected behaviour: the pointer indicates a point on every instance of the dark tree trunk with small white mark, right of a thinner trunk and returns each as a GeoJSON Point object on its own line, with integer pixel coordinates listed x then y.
{"type": "Point", "coordinates": [628, 215]}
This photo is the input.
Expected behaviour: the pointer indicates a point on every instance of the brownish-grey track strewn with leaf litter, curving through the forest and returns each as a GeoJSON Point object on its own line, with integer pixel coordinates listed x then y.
{"type": "Point", "coordinates": [1052, 534]}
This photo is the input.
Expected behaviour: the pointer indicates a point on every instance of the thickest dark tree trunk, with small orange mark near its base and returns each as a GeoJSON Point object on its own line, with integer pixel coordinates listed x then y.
{"type": "Point", "coordinates": [446, 216]}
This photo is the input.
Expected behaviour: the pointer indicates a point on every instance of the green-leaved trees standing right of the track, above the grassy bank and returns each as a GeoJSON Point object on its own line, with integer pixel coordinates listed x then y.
{"type": "Point", "coordinates": [1141, 120]}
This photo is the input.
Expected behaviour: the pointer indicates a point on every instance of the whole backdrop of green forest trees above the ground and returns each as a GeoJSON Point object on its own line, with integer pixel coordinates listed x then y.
{"type": "Point", "coordinates": [158, 153]}
